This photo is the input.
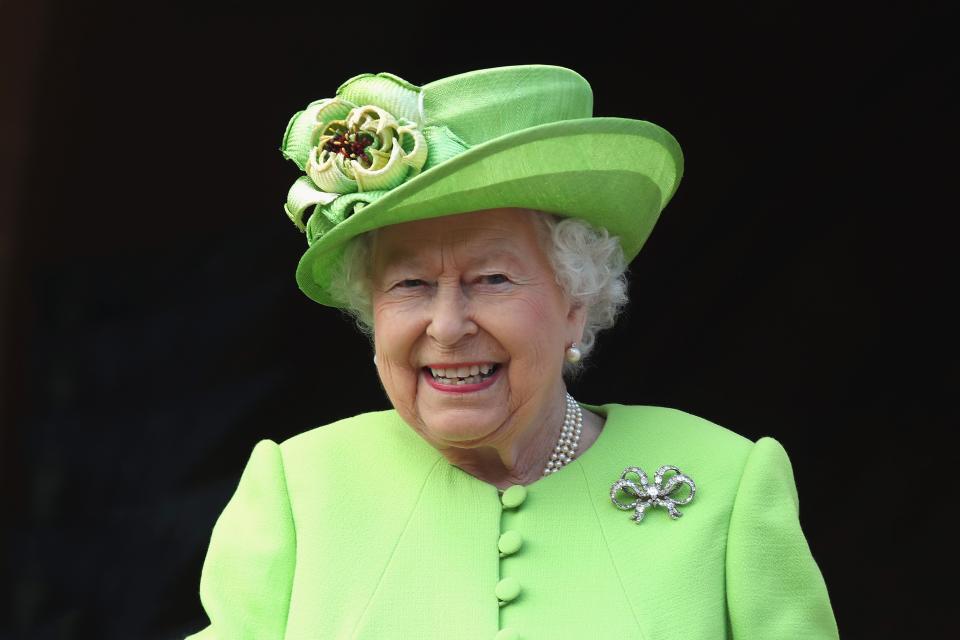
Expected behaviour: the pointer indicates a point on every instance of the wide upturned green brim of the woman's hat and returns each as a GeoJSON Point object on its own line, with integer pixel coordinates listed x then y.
{"type": "Point", "coordinates": [616, 173]}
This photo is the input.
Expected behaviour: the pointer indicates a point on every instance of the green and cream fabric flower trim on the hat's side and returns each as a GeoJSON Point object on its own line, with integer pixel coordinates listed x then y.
{"type": "Point", "coordinates": [354, 148]}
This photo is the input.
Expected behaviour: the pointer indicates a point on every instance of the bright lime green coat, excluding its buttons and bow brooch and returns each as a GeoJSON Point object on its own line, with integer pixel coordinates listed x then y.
{"type": "Point", "coordinates": [361, 529]}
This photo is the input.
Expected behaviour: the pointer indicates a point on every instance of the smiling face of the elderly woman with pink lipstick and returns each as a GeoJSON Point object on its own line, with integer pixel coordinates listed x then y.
{"type": "Point", "coordinates": [470, 327]}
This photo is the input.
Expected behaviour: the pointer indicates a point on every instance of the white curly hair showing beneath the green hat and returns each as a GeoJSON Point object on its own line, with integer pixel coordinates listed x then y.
{"type": "Point", "coordinates": [588, 262]}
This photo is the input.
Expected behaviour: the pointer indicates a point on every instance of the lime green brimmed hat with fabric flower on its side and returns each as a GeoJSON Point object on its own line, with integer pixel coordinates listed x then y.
{"type": "Point", "coordinates": [384, 151]}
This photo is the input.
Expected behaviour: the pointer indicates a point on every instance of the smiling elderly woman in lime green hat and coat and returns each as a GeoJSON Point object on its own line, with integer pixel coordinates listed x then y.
{"type": "Point", "coordinates": [478, 228]}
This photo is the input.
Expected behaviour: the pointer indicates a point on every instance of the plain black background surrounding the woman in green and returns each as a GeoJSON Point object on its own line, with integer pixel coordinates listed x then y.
{"type": "Point", "coordinates": [152, 331]}
